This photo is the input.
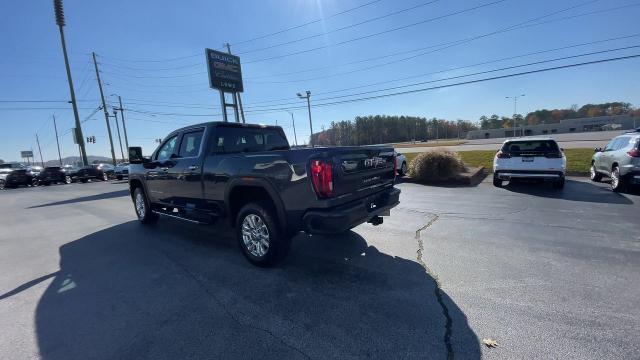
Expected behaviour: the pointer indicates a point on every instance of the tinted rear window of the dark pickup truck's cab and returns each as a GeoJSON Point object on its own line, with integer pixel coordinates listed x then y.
{"type": "Point", "coordinates": [235, 140]}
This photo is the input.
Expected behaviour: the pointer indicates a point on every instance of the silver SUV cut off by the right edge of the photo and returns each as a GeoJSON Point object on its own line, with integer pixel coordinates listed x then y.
{"type": "Point", "coordinates": [619, 160]}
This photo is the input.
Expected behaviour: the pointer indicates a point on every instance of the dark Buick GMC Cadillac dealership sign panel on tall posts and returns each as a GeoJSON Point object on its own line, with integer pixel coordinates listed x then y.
{"type": "Point", "coordinates": [224, 69]}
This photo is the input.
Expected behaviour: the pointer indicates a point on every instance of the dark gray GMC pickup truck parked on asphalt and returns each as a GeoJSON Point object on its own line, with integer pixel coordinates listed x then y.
{"type": "Point", "coordinates": [267, 191]}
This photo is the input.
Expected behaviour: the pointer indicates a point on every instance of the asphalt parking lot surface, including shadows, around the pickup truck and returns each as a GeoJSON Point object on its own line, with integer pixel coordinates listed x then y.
{"type": "Point", "coordinates": [545, 273]}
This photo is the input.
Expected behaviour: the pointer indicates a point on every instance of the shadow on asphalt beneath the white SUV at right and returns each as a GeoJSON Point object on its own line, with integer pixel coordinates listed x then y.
{"type": "Point", "coordinates": [573, 191]}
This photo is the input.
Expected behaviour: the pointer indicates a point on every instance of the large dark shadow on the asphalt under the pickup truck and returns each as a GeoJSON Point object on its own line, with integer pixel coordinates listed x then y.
{"type": "Point", "coordinates": [175, 290]}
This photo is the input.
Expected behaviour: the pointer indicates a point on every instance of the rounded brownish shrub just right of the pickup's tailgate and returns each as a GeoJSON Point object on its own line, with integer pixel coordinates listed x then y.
{"type": "Point", "coordinates": [436, 165]}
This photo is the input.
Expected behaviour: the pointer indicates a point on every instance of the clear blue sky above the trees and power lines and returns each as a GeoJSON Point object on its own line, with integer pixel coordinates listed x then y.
{"type": "Point", "coordinates": [152, 54]}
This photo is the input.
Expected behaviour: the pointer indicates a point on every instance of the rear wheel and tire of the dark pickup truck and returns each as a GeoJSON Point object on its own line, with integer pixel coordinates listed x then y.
{"type": "Point", "coordinates": [247, 230]}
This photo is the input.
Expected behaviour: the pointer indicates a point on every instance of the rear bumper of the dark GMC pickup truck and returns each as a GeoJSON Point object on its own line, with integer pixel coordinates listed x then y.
{"type": "Point", "coordinates": [344, 217]}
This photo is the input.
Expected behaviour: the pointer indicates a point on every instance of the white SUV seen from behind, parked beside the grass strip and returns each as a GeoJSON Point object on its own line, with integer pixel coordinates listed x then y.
{"type": "Point", "coordinates": [532, 158]}
